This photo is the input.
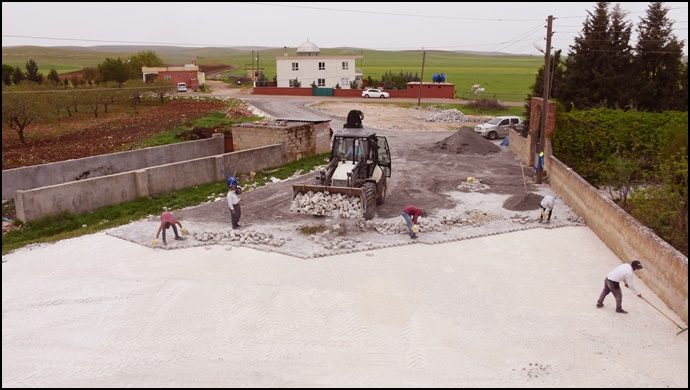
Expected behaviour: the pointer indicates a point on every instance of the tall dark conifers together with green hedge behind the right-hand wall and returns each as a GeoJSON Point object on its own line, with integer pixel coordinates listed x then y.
{"type": "Point", "coordinates": [621, 115]}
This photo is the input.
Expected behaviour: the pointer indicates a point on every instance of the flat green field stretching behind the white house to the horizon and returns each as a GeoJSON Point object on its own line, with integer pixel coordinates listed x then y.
{"type": "Point", "coordinates": [504, 77]}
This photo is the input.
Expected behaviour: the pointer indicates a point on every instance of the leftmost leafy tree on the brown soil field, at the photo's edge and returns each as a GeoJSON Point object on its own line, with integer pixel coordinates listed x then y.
{"type": "Point", "coordinates": [21, 106]}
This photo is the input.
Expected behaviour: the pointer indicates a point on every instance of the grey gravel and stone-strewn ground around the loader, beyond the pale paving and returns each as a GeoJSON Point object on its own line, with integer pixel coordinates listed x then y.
{"type": "Point", "coordinates": [432, 161]}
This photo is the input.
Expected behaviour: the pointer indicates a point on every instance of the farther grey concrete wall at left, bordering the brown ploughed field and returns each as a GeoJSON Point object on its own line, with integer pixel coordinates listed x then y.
{"type": "Point", "coordinates": [36, 176]}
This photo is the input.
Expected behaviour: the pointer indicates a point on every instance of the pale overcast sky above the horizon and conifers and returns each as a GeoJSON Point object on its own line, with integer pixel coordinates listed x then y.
{"type": "Point", "coordinates": [482, 26]}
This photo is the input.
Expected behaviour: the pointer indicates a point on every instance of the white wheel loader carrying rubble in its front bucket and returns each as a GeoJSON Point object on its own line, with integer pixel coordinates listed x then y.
{"type": "Point", "coordinates": [359, 165]}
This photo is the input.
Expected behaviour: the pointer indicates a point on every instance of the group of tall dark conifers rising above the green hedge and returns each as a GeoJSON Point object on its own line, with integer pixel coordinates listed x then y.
{"type": "Point", "coordinates": [603, 69]}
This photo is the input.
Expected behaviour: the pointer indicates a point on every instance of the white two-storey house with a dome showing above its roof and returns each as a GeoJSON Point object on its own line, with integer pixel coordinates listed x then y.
{"type": "Point", "coordinates": [308, 66]}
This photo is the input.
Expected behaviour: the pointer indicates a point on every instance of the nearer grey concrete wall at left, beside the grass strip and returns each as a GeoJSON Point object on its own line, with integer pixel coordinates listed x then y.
{"type": "Point", "coordinates": [88, 195]}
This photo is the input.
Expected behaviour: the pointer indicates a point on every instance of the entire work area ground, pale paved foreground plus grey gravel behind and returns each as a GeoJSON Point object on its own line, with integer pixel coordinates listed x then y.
{"type": "Point", "coordinates": [494, 299]}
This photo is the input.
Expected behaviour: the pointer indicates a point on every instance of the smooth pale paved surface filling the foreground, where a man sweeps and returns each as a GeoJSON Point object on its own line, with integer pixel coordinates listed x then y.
{"type": "Point", "coordinates": [514, 310]}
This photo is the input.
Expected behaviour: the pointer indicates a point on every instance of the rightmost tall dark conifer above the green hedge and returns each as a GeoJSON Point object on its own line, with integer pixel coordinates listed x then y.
{"type": "Point", "coordinates": [658, 62]}
